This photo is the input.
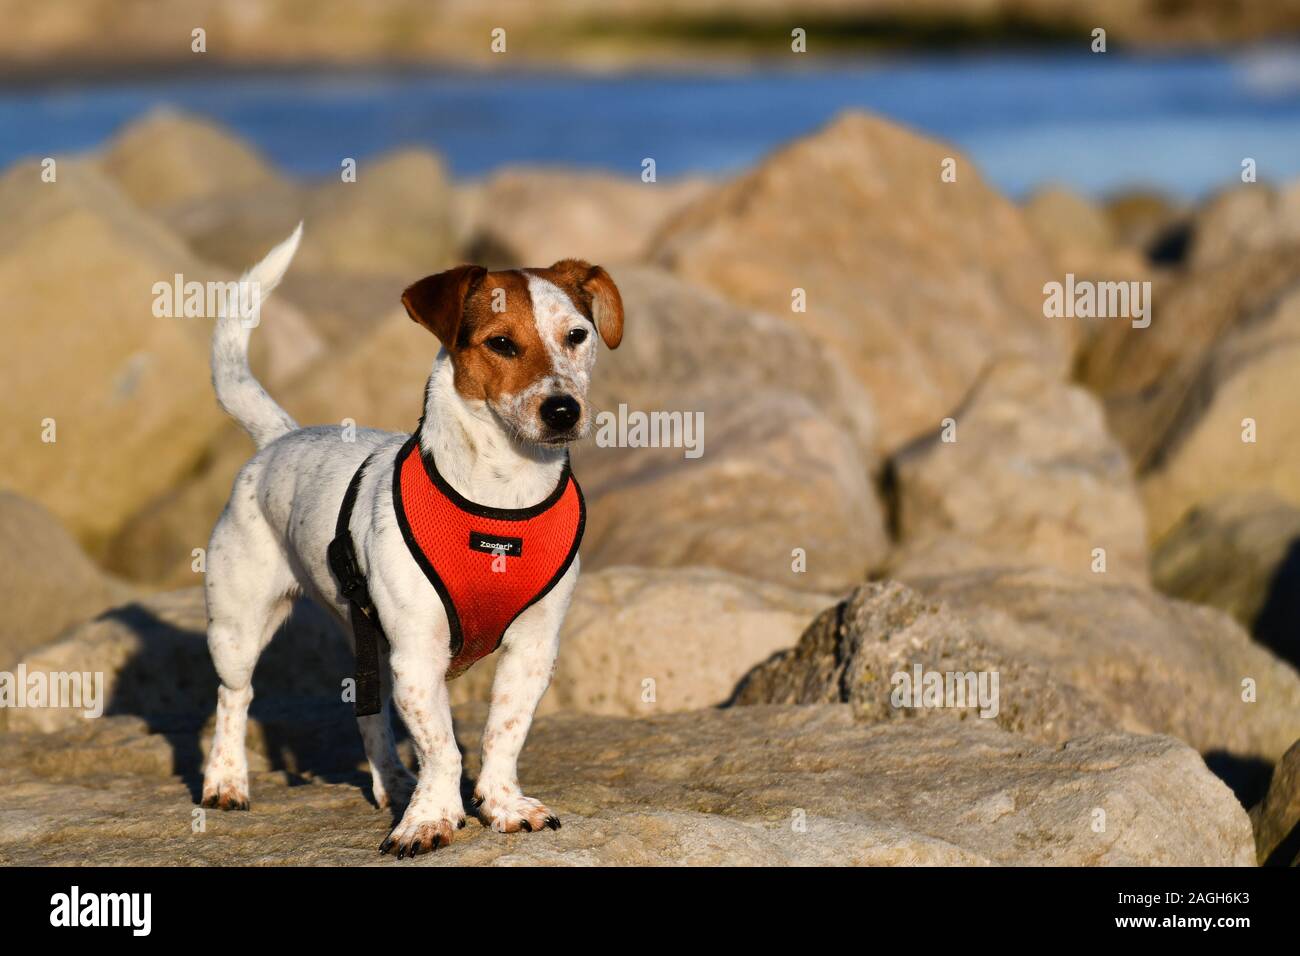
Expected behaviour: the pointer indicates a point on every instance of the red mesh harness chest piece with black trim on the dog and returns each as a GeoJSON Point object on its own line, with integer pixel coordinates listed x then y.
{"type": "Point", "coordinates": [488, 565]}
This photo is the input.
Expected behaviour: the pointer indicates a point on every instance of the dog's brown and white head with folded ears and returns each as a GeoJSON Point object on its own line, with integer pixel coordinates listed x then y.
{"type": "Point", "coordinates": [523, 341]}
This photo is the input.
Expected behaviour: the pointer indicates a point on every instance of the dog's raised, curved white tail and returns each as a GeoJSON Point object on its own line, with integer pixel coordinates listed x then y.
{"type": "Point", "coordinates": [242, 396]}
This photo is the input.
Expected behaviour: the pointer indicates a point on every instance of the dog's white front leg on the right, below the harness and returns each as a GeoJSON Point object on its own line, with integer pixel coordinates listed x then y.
{"type": "Point", "coordinates": [523, 674]}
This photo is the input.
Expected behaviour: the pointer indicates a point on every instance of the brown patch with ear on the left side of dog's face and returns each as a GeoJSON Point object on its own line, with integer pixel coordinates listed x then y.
{"type": "Point", "coordinates": [469, 306]}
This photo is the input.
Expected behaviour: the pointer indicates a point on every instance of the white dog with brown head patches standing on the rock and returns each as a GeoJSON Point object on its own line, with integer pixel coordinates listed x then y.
{"type": "Point", "coordinates": [506, 397]}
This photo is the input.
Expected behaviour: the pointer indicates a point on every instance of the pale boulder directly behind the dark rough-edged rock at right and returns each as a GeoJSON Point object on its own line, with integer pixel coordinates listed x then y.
{"type": "Point", "coordinates": [1026, 474]}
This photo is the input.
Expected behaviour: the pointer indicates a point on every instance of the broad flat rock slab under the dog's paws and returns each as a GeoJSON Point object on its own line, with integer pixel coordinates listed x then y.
{"type": "Point", "coordinates": [752, 786]}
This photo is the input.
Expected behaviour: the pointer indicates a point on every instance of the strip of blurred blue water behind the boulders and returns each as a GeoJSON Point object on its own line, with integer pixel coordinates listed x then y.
{"type": "Point", "coordinates": [1097, 123]}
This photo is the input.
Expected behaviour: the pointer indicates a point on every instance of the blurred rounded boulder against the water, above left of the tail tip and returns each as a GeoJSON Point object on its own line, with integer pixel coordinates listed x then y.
{"type": "Point", "coordinates": [170, 158]}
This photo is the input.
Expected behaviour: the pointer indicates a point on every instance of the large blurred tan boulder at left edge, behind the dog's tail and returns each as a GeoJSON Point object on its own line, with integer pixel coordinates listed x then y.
{"type": "Point", "coordinates": [79, 279]}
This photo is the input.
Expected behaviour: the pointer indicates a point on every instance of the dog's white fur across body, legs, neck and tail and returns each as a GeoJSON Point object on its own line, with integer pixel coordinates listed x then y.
{"type": "Point", "coordinates": [271, 544]}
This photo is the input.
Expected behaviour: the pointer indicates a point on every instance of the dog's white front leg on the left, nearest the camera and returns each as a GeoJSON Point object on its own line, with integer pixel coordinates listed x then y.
{"type": "Point", "coordinates": [436, 810]}
